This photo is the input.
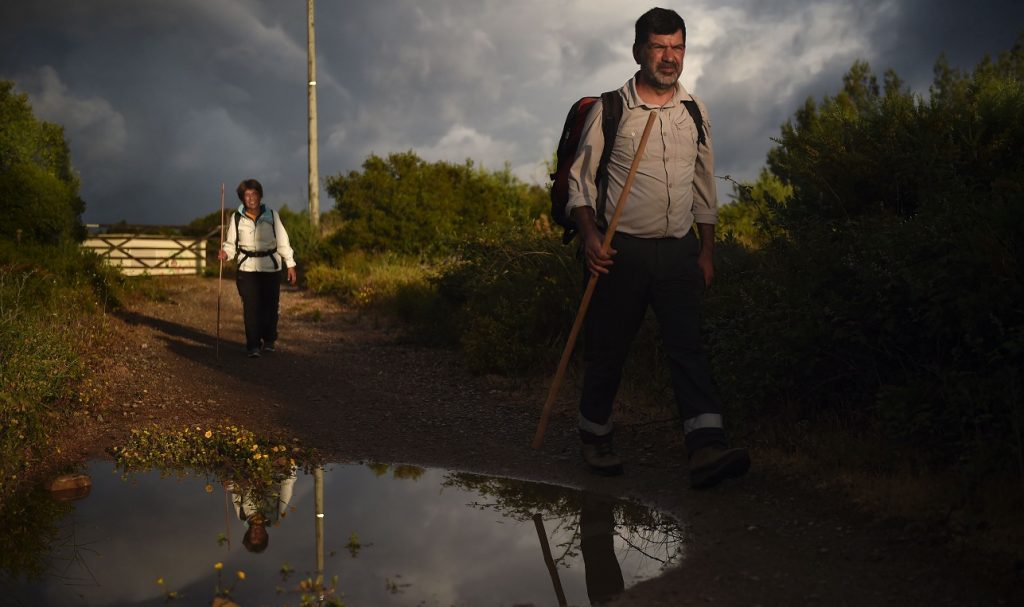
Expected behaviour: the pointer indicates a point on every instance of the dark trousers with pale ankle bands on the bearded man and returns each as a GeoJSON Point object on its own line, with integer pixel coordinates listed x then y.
{"type": "Point", "coordinates": [664, 275]}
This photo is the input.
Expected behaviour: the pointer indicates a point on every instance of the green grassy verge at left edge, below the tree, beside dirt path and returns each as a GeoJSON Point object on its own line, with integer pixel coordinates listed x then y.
{"type": "Point", "coordinates": [51, 298]}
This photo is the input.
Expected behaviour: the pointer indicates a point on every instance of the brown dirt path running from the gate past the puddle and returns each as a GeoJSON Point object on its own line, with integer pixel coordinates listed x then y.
{"type": "Point", "coordinates": [357, 393]}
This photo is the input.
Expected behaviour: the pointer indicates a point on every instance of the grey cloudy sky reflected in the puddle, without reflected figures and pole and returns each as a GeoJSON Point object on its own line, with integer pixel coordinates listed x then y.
{"type": "Point", "coordinates": [437, 539]}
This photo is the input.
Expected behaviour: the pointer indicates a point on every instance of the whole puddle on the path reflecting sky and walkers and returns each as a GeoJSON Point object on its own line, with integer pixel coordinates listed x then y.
{"type": "Point", "coordinates": [392, 535]}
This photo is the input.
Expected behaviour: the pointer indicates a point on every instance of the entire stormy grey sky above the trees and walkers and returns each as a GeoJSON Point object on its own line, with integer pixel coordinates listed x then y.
{"type": "Point", "coordinates": [163, 101]}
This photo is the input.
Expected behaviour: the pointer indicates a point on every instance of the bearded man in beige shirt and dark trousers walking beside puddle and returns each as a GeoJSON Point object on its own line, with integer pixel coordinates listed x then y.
{"type": "Point", "coordinates": [656, 257]}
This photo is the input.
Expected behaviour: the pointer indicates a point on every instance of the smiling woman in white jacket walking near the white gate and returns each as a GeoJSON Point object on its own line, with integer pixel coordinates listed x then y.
{"type": "Point", "coordinates": [258, 241]}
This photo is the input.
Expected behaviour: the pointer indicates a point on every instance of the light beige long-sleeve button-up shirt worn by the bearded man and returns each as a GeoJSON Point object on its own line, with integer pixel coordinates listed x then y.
{"type": "Point", "coordinates": [675, 183]}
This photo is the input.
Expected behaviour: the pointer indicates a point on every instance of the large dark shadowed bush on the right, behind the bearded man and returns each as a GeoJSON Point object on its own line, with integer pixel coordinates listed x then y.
{"type": "Point", "coordinates": [887, 293]}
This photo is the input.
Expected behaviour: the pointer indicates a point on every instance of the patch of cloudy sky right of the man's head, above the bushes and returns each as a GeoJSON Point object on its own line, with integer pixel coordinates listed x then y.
{"type": "Point", "coordinates": [771, 57]}
